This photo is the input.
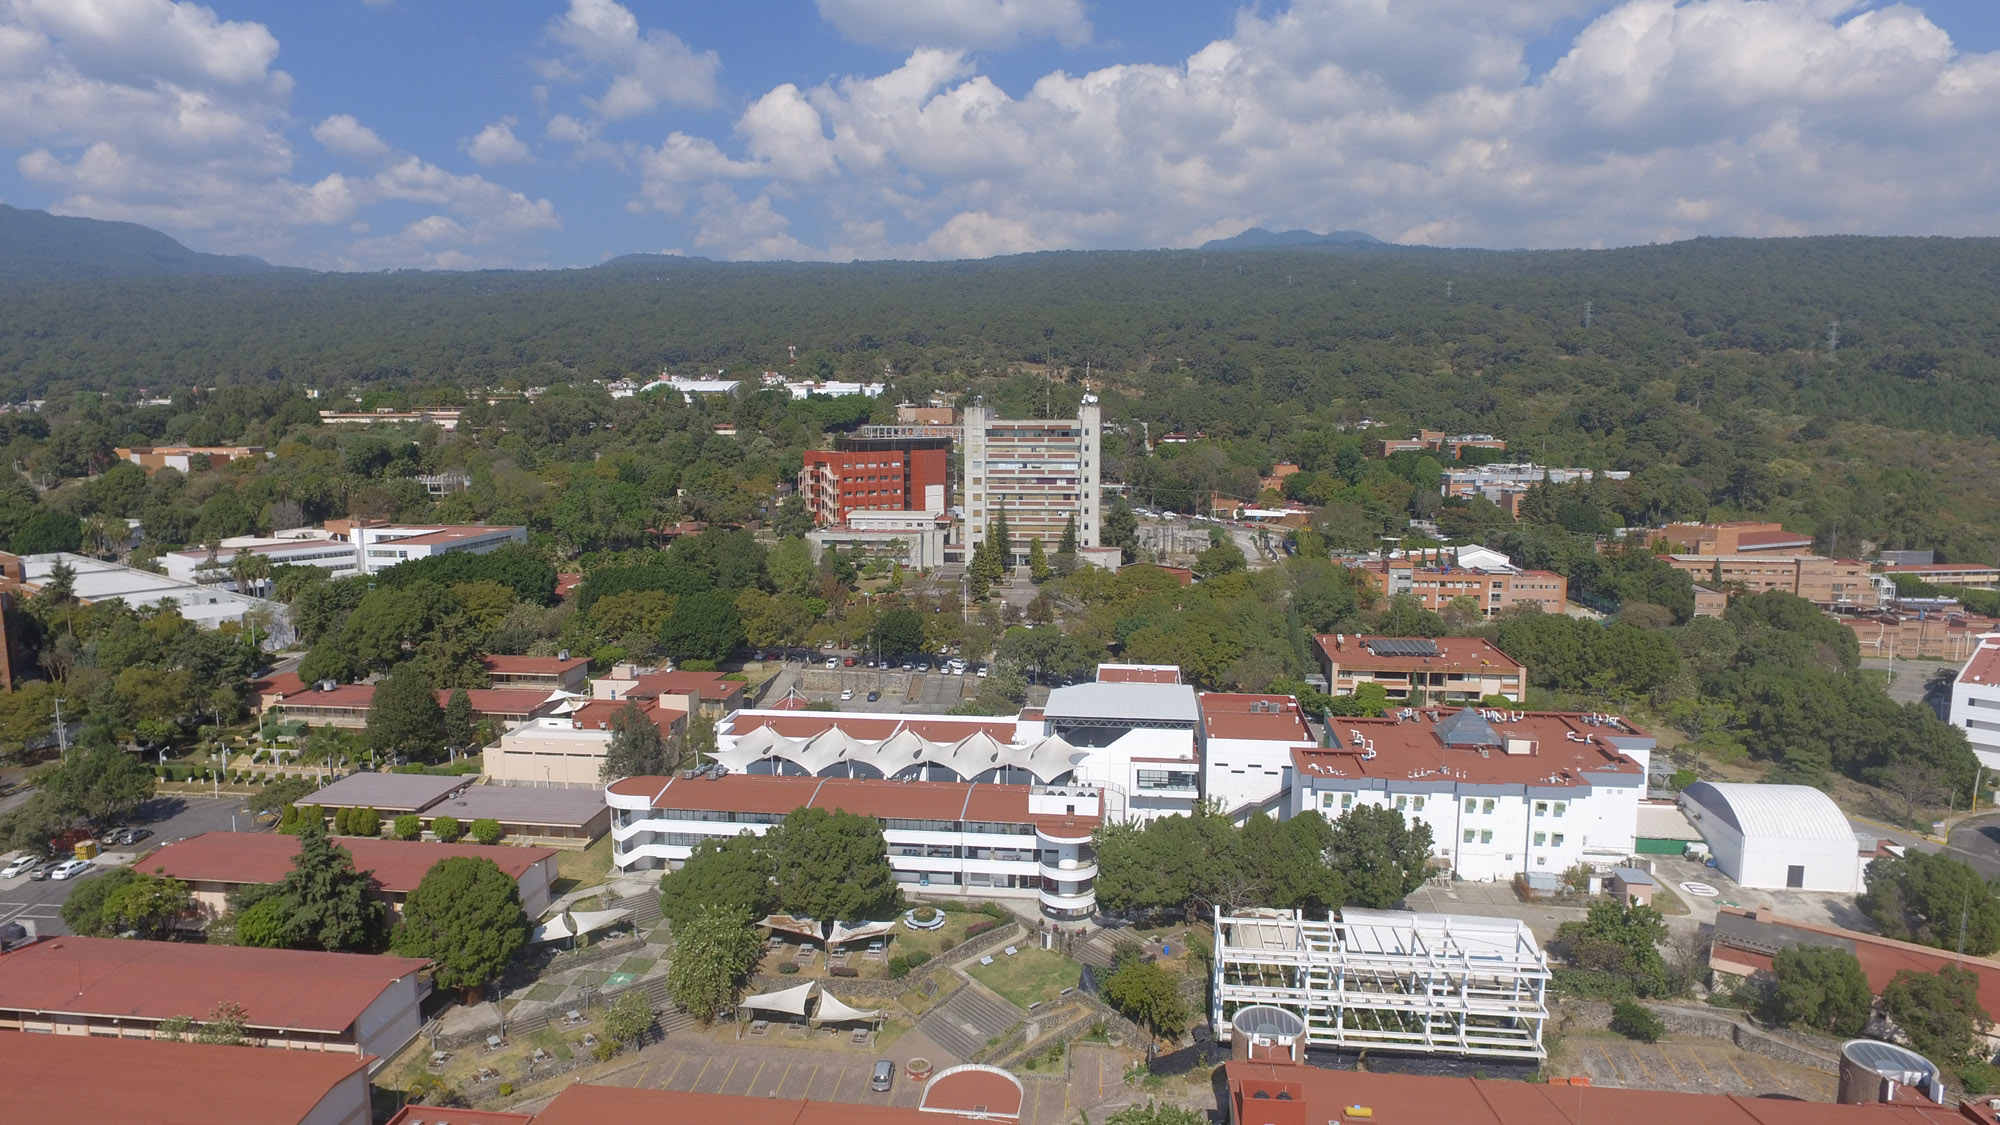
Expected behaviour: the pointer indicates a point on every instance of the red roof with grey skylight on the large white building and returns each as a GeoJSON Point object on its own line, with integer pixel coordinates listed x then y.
{"type": "Point", "coordinates": [1413, 752]}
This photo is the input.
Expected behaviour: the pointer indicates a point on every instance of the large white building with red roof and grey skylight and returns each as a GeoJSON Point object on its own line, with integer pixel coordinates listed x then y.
{"type": "Point", "coordinates": [1505, 792]}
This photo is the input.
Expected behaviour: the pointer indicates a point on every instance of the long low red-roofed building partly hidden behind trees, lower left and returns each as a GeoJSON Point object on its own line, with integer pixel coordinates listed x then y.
{"type": "Point", "coordinates": [219, 864]}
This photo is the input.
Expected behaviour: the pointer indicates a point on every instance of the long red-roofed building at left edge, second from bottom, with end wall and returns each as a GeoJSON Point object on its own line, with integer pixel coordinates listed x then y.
{"type": "Point", "coordinates": [291, 998]}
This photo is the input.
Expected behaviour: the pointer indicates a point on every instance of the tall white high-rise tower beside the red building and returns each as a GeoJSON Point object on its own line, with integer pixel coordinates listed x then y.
{"type": "Point", "coordinates": [1039, 471]}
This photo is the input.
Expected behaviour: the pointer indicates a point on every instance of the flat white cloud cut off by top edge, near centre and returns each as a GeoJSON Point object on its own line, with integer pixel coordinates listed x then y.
{"type": "Point", "coordinates": [957, 23]}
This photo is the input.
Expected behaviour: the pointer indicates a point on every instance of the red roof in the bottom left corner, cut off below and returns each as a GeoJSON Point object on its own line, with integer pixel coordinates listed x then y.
{"type": "Point", "coordinates": [75, 1078]}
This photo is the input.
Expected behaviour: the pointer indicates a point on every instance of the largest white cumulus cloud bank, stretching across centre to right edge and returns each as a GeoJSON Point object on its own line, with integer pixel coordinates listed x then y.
{"type": "Point", "coordinates": [1419, 121]}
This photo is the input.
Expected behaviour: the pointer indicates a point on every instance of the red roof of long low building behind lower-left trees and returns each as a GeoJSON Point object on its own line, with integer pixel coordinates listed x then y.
{"type": "Point", "coordinates": [267, 858]}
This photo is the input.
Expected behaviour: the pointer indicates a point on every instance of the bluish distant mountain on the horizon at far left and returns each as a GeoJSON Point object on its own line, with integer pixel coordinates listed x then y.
{"type": "Point", "coordinates": [39, 247]}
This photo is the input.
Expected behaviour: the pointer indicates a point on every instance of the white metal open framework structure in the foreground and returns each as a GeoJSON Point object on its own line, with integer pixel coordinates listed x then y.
{"type": "Point", "coordinates": [1389, 980]}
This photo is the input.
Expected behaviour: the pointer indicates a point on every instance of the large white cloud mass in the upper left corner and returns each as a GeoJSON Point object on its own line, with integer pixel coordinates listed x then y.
{"type": "Point", "coordinates": [161, 113]}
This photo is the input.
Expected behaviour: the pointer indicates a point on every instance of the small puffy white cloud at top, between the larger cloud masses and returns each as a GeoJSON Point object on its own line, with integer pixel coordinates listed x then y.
{"type": "Point", "coordinates": [645, 67]}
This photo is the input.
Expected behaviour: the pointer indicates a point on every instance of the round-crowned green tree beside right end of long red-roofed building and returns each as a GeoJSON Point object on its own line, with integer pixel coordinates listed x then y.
{"type": "Point", "coordinates": [465, 916]}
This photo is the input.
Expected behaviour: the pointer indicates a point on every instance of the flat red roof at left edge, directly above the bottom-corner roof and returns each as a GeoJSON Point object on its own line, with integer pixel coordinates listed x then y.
{"type": "Point", "coordinates": [159, 980]}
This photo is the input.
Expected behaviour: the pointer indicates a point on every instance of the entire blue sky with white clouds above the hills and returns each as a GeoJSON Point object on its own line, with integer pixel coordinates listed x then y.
{"type": "Point", "coordinates": [505, 133]}
